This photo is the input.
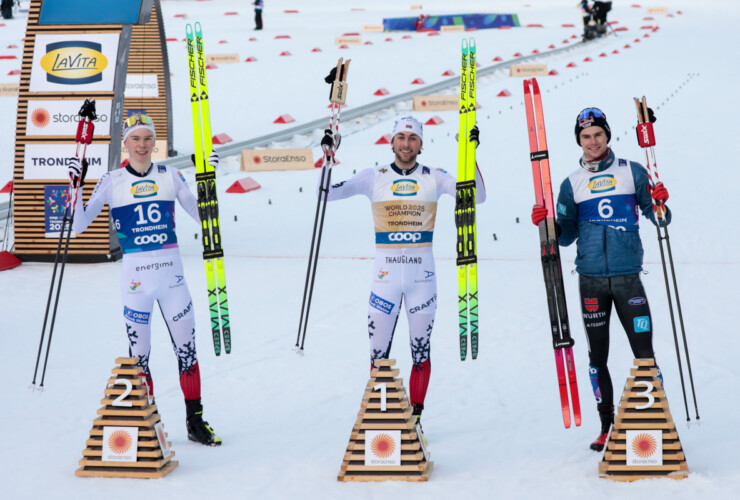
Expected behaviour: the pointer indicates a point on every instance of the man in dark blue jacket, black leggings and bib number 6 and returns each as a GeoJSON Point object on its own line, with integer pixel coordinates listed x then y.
{"type": "Point", "coordinates": [598, 208]}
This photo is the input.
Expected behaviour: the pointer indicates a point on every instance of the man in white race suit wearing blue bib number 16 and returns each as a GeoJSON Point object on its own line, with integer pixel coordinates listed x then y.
{"type": "Point", "coordinates": [142, 200]}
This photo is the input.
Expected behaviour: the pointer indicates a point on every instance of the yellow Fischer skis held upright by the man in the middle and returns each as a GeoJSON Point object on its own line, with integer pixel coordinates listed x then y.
{"type": "Point", "coordinates": [467, 267]}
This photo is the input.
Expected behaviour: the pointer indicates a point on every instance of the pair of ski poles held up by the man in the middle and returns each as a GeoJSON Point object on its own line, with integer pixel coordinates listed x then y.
{"type": "Point", "coordinates": [337, 97]}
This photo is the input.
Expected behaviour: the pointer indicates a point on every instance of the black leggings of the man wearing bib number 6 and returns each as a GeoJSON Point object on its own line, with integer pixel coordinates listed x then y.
{"type": "Point", "coordinates": [628, 297]}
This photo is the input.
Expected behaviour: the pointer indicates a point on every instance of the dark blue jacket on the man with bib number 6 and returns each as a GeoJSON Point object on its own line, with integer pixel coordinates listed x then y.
{"type": "Point", "coordinates": [604, 249]}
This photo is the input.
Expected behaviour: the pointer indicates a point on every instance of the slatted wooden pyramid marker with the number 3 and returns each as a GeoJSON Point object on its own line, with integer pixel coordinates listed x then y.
{"type": "Point", "coordinates": [643, 442]}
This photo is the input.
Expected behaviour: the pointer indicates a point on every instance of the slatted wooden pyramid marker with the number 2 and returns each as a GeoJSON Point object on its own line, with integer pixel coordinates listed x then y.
{"type": "Point", "coordinates": [127, 412]}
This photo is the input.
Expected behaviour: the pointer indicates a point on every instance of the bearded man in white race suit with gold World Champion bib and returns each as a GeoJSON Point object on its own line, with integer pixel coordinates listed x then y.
{"type": "Point", "coordinates": [404, 198]}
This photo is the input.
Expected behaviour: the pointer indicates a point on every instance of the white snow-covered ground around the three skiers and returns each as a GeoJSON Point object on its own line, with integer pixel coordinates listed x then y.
{"type": "Point", "coordinates": [494, 425]}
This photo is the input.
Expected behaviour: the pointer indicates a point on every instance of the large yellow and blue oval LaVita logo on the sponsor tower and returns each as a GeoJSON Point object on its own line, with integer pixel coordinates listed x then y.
{"type": "Point", "coordinates": [74, 62]}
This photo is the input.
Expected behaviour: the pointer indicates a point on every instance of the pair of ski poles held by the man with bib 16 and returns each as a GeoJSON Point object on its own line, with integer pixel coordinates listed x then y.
{"type": "Point", "coordinates": [85, 130]}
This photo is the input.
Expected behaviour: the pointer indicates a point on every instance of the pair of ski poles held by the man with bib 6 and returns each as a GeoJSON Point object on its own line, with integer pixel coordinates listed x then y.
{"type": "Point", "coordinates": [646, 140]}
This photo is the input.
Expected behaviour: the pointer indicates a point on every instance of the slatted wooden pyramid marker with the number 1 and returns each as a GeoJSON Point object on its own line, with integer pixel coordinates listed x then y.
{"type": "Point", "coordinates": [385, 412]}
